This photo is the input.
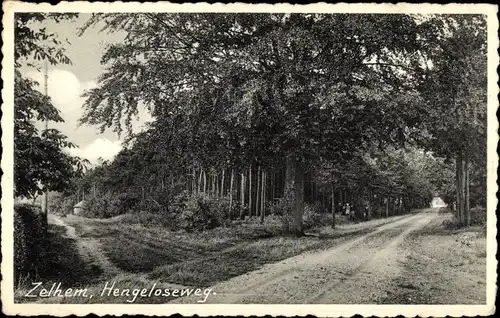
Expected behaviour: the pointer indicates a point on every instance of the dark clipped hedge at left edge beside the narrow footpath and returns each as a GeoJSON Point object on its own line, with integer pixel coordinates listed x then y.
{"type": "Point", "coordinates": [30, 231]}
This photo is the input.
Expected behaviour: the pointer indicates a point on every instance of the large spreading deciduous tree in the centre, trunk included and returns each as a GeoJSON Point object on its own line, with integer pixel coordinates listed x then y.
{"type": "Point", "coordinates": [267, 88]}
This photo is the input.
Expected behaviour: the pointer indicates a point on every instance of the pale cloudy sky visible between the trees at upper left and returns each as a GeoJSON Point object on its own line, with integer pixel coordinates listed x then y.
{"type": "Point", "coordinates": [67, 83]}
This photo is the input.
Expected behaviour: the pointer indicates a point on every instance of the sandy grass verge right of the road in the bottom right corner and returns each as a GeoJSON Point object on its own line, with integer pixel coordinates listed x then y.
{"type": "Point", "coordinates": [443, 265]}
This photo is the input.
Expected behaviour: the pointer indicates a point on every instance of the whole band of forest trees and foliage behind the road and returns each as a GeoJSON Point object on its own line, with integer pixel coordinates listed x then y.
{"type": "Point", "coordinates": [292, 115]}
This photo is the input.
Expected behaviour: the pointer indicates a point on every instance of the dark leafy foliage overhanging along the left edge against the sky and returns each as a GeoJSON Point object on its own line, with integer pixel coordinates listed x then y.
{"type": "Point", "coordinates": [41, 161]}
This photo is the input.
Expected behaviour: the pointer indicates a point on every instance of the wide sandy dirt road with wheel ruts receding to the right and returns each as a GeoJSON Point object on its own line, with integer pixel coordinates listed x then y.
{"type": "Point", "coordinates": [359, 271]}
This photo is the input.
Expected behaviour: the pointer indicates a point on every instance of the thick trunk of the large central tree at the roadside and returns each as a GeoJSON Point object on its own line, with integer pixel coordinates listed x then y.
{"type": "Point", "coordinates": [294, 188]}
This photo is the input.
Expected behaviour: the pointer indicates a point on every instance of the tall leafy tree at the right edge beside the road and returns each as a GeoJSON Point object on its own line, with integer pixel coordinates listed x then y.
{"type": "Point", "coordinates": [457, 112]}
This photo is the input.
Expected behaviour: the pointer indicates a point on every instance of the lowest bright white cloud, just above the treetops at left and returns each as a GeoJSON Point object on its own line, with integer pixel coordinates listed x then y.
{"type": "Point", "coordinates": [99, 148]}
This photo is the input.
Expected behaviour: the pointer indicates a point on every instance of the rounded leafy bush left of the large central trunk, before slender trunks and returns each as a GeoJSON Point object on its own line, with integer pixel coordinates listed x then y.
{"type": "Point", "coordinates": [201, 212]}
